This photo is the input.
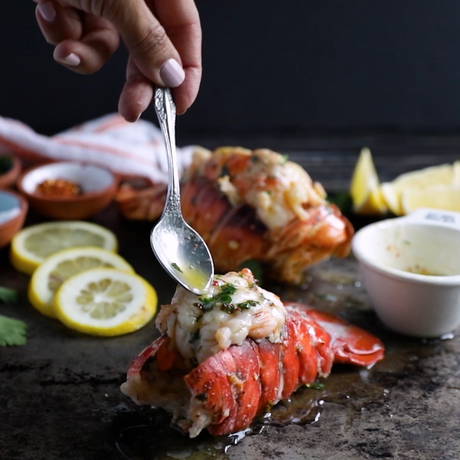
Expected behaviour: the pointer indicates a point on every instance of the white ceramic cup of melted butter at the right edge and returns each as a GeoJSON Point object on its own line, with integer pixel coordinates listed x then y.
{"type": "Point", "coordinates": [410, 267]}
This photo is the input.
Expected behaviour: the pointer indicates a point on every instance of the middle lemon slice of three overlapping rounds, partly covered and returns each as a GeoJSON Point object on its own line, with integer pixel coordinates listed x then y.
{"type": "Point", "coordinates": [49, 275]}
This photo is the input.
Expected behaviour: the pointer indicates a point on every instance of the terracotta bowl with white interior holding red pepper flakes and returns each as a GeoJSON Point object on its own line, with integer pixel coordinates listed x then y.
{"type": "Point", "coordinates": [98, 187]}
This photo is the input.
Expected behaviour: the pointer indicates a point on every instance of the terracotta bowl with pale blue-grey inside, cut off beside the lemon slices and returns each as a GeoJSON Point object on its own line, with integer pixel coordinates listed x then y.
{"type": "Point", "coordinates": [13, 211]}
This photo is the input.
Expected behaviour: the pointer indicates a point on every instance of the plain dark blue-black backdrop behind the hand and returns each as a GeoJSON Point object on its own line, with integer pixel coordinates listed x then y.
{"type": "Point", "coordinates": [295, 66]}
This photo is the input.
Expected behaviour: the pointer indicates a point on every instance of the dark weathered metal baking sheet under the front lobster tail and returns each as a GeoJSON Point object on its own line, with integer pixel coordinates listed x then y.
{"type": "Point", "coordinates": [60, 397]}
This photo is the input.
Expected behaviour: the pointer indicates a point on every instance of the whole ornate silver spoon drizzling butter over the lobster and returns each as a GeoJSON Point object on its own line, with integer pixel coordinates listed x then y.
{"type": "Point", "coordinates": [178, 248]}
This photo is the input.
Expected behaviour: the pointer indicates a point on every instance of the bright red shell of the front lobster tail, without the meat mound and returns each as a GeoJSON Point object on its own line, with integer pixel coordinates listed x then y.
{"type": "Point", "coordinates": [226, 391]}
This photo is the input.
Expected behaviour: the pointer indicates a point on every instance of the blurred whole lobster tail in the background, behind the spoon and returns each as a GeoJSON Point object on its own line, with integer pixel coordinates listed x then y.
{"type": "Point", "coordinates": [253, 205]}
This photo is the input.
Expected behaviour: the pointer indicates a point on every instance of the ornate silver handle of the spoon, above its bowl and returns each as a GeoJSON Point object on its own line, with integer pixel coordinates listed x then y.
{"type": "Point", "coordinates": [166, 113]}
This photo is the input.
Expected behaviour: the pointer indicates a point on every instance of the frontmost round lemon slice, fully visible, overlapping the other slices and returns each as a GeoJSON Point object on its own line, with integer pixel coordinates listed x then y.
{"type": "Point", "coordinates": [105, 301]}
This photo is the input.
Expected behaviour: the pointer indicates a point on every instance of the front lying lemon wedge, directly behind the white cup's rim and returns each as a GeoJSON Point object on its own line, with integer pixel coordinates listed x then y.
{"type": "Point", "coordinates": [445, 197]}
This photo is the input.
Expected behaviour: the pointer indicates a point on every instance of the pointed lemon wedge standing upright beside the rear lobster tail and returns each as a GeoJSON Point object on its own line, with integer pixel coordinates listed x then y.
{"type": "Point", "coordinates": [365, 187]}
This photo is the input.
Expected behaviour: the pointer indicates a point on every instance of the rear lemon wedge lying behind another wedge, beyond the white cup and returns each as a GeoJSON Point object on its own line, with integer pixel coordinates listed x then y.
{"type": "Point", "coordinates": [417, 180]}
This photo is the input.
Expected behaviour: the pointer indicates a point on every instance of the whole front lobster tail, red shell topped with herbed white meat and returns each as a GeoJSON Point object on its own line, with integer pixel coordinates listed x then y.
{"type": "Point", "coordinates": [210, 375]}
